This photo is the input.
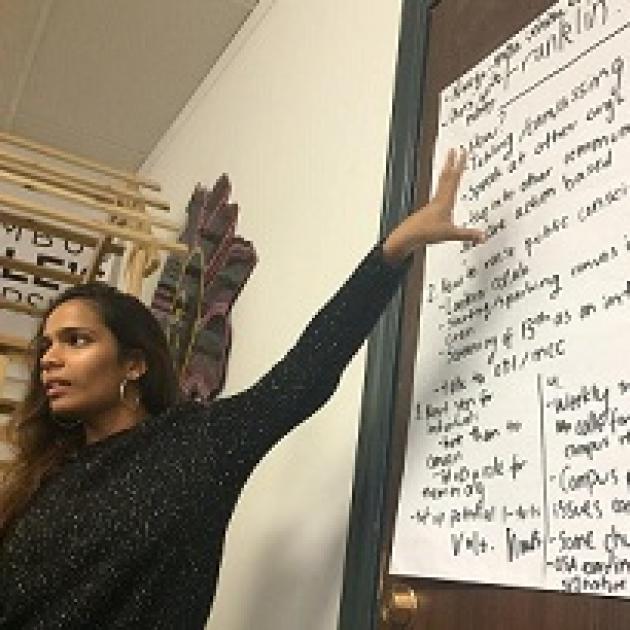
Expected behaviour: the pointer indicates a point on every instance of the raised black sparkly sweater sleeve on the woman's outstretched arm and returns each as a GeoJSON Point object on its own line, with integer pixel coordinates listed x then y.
{"type": "Point", "coordinates": [307, 376]}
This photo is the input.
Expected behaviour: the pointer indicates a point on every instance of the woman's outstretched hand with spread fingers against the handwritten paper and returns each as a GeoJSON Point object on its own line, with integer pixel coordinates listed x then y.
{"type": "Point", "coordinates": [432, 223]}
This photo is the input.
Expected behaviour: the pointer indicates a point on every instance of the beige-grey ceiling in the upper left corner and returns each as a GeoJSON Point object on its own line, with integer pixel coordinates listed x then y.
{"type": "Point", "coordinates": [106, 78]}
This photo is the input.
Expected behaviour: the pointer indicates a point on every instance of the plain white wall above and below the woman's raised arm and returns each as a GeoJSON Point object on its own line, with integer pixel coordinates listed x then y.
{"type": "Point", "coordinates": [297, 113]}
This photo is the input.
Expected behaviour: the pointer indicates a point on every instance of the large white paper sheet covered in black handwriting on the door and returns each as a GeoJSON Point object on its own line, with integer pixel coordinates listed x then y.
{"type": "Point", "coordinates": [518, 460]}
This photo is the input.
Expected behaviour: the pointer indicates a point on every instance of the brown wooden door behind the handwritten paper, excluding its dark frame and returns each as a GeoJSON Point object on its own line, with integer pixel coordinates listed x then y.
{"type": "Point", "coordinates": [462, 32]}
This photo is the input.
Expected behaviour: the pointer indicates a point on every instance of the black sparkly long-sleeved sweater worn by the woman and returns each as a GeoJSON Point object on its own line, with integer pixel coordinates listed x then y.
{"type": "Point", "coordinates": [129, 532]}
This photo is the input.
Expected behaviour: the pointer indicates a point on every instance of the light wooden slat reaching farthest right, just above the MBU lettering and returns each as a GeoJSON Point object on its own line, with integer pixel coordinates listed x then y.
{"type": "Point", "coordinates": [90, 224]}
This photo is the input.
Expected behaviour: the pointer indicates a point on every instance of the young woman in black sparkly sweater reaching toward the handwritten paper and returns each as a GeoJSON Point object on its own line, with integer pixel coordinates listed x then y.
{"type": "Point", "coordinates": [115, 511]}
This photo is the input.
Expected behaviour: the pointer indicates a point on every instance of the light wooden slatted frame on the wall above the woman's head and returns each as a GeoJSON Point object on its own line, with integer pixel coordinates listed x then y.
{"type": "Point", "coordinates": [112, 215]}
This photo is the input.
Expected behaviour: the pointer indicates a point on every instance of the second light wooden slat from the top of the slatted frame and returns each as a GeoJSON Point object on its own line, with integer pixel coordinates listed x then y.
{"type": "Point", "coordinates": [70, 181]}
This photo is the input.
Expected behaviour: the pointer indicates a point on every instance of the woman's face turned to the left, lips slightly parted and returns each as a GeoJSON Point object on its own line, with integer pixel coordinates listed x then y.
{"type": "Point", "coordinates": [80, 368]}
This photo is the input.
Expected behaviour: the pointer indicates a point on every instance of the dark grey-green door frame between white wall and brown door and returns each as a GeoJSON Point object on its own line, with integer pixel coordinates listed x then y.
{"type": "Point", "coordinates": [359, 608]}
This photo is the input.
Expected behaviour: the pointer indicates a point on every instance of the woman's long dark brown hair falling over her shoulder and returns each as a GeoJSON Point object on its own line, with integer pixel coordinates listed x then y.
{"type": "Point", "coordinates": [42, 445]}
